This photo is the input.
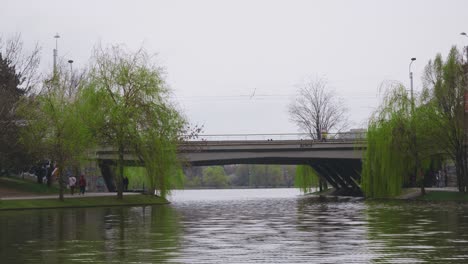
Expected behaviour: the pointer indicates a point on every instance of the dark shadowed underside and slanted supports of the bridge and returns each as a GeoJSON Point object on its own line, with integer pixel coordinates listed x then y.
{"type": "Point", "coordinates": [342, 174]}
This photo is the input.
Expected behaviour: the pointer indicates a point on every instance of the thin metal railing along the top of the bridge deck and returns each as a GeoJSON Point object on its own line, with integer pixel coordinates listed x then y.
{"type": "Point", "coordinates": [330, 137]}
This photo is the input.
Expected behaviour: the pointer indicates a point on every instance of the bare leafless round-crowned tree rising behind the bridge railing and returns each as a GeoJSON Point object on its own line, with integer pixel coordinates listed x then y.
{"type": "Point", "coordinates": [317, 109]}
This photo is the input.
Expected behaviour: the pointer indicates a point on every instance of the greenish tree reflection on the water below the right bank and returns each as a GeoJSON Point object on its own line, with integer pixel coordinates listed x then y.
{"type": "Point", "coordinates": [410, 232]}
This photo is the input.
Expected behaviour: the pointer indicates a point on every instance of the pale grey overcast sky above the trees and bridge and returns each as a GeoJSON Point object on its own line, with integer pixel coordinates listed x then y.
{"type": "Point", "coordinates": [218, 53]}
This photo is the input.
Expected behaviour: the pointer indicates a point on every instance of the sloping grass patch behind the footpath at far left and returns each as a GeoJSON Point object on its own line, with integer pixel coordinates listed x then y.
{"type": "Point", "coordinates": [27, 186]}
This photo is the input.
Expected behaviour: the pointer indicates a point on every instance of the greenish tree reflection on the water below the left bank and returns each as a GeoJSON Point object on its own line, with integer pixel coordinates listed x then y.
{"type": "Point", "coordinates": [149, 234]}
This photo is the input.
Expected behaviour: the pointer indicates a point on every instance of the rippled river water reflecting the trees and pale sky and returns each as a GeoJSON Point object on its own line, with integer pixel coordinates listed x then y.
{"type": "Point", "coordinates": [240, 226]}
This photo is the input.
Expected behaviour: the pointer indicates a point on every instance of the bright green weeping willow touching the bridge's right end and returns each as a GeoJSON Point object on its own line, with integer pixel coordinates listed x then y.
{"type": "Point", "coordinates": [387, 161]}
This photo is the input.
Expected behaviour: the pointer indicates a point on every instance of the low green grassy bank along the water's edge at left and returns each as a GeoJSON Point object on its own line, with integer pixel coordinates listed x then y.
{"type": "Point", "coordinates": [101, 201]}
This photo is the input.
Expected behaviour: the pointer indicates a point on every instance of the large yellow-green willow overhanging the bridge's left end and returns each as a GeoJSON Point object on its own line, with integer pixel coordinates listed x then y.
{"type": "Point", "coordinates": [134, 114]}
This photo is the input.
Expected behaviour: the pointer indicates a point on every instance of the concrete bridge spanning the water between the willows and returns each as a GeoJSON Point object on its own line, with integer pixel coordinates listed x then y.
{"type": "Point", "coordinates": [338, 159]}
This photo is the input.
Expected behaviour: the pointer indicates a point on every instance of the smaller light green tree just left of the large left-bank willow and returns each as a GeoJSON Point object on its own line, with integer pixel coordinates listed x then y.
{"type": "Point", "coordinates": [55, 126]}
